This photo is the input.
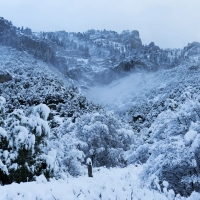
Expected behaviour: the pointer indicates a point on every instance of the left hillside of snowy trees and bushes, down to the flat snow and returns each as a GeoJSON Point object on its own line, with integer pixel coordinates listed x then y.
{"type": "Point", "coordinates": [64, 126]}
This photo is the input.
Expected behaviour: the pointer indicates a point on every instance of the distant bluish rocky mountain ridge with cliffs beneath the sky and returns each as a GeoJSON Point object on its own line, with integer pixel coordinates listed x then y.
{"type": "Point", "coordinates": [96, 57]}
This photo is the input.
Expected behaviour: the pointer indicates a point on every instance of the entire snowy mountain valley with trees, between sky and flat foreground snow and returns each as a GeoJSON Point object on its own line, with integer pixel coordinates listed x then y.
{"type": "Point", "coordinates": [99, 94]}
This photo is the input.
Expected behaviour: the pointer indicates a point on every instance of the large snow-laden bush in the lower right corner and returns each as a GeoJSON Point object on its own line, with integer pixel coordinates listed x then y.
{"type": "Point", "coordinates": [171, 149]}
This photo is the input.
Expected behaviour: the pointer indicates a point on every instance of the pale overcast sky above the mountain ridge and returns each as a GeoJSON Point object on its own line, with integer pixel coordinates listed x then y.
{"type": "Point", "coordinates": [169, 23]}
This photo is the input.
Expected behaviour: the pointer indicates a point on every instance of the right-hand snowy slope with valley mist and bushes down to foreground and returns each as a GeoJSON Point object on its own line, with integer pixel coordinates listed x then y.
{"type": "Point", "coordinates": [163, 110]}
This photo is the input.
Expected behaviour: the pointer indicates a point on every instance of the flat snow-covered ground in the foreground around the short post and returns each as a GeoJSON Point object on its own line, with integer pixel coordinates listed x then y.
{"type": "Point", "coordinates": [108, 184]}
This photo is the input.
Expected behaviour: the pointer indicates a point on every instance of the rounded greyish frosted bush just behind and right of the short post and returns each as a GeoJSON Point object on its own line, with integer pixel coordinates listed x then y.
{"type": "Point", "coordinates": [106, 138]}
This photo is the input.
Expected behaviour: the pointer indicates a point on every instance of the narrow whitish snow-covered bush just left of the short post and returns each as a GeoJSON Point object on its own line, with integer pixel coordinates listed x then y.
{"type": "Point", "coordinates": [69, 155]}
